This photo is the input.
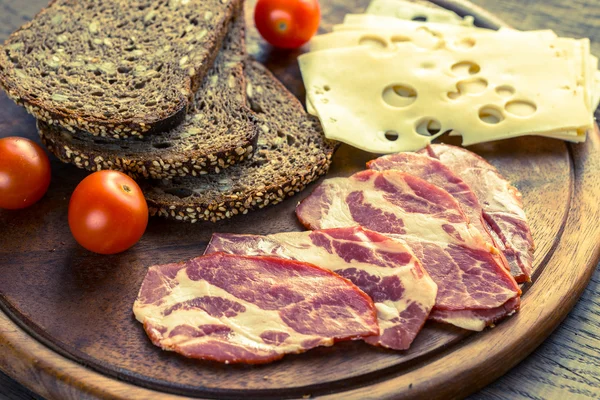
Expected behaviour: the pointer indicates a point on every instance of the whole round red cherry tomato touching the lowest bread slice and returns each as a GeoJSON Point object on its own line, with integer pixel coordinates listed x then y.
{"type": "Point", "coordinates": [108, 212]}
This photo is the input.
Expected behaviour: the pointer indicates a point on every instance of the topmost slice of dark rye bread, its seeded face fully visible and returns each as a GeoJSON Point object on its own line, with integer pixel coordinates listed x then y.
{"type": "Point", "coordinates": [115, 68]}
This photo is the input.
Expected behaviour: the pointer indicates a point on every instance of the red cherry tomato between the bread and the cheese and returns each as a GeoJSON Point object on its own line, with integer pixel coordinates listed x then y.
{"type": "Point", "coordinates": [287, 23]}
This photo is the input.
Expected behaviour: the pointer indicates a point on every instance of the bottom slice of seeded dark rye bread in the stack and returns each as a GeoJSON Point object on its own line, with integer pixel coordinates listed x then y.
{"type": "Point", "coordinates": [292, 152]}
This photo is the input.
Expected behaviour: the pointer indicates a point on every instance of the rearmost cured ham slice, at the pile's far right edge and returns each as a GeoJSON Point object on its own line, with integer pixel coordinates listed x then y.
{"type": "Point", "coordinates": [502, 205]}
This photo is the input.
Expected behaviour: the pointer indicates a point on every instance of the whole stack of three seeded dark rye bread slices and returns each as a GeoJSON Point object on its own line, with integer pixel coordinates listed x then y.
{"type": "Point", "coordinates": [165, 92]}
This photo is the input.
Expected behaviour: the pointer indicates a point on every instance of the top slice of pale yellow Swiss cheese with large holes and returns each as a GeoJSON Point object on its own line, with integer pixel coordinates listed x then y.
{"type": "Point", "coordinates": [361, 93]}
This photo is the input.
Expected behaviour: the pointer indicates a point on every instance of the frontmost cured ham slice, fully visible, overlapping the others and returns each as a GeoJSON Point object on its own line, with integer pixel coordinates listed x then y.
{"type": "Point", "coordinates": [239, 309]}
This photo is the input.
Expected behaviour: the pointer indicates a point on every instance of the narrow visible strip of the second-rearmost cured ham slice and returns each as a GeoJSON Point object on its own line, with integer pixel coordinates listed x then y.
{"type": "Point", "coordinates": [434, 172]}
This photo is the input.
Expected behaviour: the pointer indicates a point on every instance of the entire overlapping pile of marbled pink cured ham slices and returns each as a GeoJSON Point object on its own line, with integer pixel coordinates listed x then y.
{"type": "Point", "coordinates": [437, 235]}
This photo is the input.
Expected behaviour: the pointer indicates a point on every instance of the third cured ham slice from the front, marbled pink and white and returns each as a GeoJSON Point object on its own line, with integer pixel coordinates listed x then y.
{"type": "Point", "coordinates": [432, 223]}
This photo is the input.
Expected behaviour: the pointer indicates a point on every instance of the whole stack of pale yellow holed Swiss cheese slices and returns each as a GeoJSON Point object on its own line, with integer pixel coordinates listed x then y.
{"type": "Point", "coordinates": [385, 84]}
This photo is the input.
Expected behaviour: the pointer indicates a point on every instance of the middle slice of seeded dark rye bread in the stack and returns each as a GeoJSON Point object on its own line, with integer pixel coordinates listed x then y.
{"type": "Point", "coordinates": [218, 132]}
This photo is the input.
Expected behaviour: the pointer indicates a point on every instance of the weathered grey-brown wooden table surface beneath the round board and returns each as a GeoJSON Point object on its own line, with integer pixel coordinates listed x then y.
{"type": "Point", "coordinates": [567, 365]}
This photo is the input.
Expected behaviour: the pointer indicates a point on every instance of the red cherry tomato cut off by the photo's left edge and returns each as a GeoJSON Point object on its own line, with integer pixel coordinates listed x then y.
{"type": "Point", "coordinates": [24, 173]}
